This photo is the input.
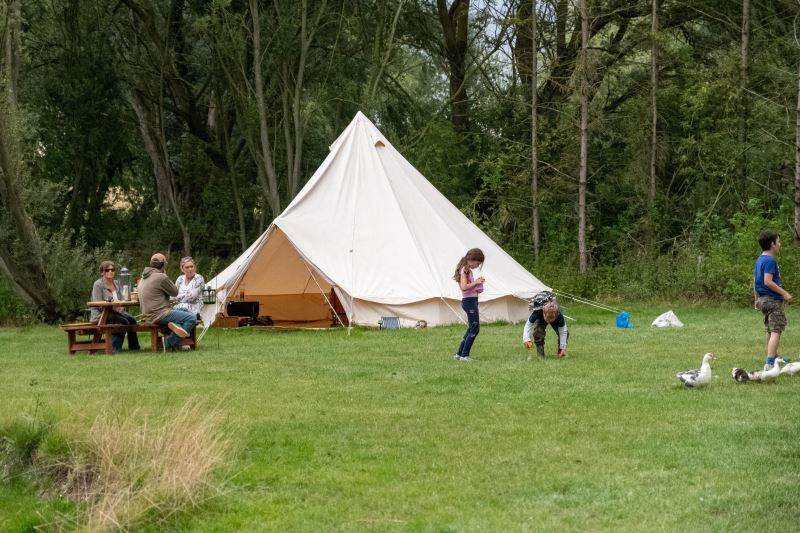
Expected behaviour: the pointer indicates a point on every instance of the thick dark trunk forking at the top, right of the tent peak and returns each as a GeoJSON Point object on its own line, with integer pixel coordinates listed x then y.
{"type": "Point", "coordinates": [455, 26]}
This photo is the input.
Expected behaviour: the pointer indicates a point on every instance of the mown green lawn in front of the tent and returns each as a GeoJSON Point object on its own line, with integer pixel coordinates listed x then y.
{"type": "Point", "coordinates": [384, 431]}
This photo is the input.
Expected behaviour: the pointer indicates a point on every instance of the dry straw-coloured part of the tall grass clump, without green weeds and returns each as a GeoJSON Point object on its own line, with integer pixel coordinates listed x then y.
{"type": "Point", "coordinates": [147, 466]}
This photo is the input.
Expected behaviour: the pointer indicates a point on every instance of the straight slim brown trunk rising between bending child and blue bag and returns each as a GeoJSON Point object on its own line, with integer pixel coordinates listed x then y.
{"type": "Point", "coordinates": [584, 100]}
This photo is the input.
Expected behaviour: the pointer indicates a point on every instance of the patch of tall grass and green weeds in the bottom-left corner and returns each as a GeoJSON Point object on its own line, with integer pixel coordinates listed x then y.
{"type": "Point", "coordinates": [125, 469]}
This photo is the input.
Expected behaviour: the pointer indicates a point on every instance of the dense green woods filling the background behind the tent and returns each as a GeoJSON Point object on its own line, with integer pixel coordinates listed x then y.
{"type": "Point", "coordinates": [630, 148]}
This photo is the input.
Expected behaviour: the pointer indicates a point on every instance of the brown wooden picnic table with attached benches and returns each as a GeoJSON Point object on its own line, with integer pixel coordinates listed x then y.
{"type": "Point", "coordinates": [100, 333]}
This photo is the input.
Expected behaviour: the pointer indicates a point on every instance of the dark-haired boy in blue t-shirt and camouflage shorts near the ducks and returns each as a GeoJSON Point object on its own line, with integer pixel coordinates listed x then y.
{"type": "Point", "coordinates": [768, 294]}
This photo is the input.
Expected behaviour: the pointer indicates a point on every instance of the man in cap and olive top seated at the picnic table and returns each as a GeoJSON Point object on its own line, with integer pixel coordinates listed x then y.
{"type": "Point", "coordinates": [155, 290]}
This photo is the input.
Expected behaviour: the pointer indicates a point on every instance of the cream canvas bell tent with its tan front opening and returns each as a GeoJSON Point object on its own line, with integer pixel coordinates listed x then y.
{"type": "Point", "coordinates": [371, 230]}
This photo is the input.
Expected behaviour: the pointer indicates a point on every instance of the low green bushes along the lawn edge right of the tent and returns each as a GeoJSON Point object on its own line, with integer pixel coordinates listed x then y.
{"type": "Point", "coordinates": [713, 263]}
